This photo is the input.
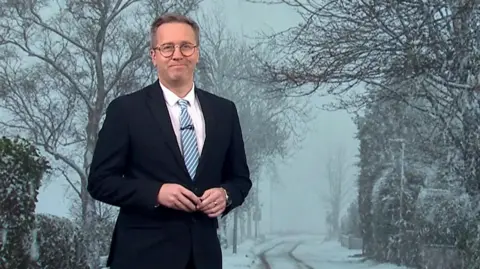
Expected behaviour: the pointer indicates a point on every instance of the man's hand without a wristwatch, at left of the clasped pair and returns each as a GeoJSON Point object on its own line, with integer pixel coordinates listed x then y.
{"type": "Point", "coordinates": [177, 197]}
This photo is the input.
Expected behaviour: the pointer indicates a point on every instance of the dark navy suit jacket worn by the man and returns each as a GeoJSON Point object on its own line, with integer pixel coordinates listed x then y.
{"type": "Point", "coordinates": [137, 152]}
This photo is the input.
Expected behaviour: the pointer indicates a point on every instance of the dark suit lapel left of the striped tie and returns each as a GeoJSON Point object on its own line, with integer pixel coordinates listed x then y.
{"type": "Point", "coordinates": [158, 107]}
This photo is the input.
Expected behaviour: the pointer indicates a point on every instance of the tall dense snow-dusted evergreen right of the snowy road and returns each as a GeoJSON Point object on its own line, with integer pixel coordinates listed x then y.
{"type": "Point", "coordinates": [396, 144]}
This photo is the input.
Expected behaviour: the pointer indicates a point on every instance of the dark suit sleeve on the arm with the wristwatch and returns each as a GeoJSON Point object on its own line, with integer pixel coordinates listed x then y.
{"type": "Point", "coordinates": [236, 173]}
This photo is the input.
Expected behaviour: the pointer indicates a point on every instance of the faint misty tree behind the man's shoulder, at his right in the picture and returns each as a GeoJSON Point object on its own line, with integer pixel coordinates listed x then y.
{"type": "Point", "coordinates": [268, 122]}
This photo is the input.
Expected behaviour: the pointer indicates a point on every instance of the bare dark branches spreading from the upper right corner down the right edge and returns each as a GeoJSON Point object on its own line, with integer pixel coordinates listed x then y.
{"type": "Point", "coordinates": [341, 45]}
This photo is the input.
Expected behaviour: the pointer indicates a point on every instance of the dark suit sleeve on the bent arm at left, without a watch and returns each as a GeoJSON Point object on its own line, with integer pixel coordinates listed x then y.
{"type": "Point", "coordinates": [106, 181]}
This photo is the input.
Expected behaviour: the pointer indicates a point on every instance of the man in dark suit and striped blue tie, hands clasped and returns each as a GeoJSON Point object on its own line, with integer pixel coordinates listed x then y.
{"type": "Point", "coordinates": [171, 156]}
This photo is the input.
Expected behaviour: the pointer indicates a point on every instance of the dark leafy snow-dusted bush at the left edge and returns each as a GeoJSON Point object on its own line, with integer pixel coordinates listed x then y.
{"type": "Point", "coordinates": [21, 171]}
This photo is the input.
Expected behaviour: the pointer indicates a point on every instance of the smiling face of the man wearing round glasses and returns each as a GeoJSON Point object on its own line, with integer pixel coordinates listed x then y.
{"type": "Point", "coordinates": [175, 68]}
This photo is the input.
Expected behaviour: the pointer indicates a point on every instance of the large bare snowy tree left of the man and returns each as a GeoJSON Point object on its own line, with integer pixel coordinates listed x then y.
{"type": "Point", "coordinates": [62, 62]}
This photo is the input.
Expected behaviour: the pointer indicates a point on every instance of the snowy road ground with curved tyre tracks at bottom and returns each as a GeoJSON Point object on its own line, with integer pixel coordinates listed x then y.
{"type": "Point", "coordinates": [297, 252]}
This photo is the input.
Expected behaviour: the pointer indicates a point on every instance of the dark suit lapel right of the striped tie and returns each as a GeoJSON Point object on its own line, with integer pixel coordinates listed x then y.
{"type": "Point", "coordinates": [208, 110]}
